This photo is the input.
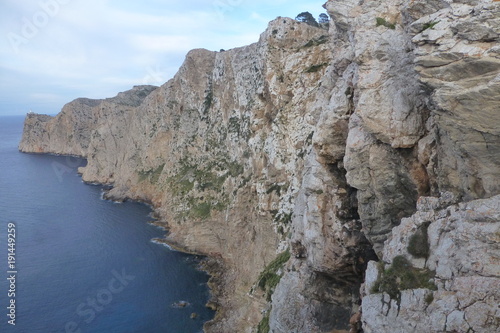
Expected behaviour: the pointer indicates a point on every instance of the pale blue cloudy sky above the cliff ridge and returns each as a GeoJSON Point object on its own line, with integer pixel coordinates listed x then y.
{"type": "Point", "coordinates": [53, 51]}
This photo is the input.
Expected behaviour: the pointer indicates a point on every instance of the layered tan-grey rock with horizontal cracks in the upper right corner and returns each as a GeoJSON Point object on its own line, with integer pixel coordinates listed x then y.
{"type": "Point", "coordinates": [453, 59]}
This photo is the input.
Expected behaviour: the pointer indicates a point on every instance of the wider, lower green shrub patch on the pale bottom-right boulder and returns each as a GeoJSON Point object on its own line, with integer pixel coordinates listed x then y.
{"type": "Point", "coordinates": [401, 275]}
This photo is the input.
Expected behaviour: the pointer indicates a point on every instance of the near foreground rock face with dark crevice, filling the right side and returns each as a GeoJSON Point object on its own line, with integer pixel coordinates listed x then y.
{"type": "Point", "coordinates": [414, 112]}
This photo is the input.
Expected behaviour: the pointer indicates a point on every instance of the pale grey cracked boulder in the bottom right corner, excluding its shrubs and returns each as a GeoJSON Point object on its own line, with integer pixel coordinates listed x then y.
{"type": "Point", "coordinates": [464, 252]}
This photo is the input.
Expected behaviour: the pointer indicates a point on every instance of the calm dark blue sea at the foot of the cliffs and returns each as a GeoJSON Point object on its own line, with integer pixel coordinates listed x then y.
{"type": "Point", "coordinates": [84, 264]}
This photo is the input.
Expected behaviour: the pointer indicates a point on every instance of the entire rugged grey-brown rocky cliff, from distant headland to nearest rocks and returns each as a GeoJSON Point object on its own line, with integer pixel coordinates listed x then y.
{"type": "Point", "coordinates": [296, 160]}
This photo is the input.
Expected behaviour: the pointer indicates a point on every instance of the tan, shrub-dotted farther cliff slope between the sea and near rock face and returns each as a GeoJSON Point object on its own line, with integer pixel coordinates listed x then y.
{"type": "Point", "coordinates": [218, 150]}
